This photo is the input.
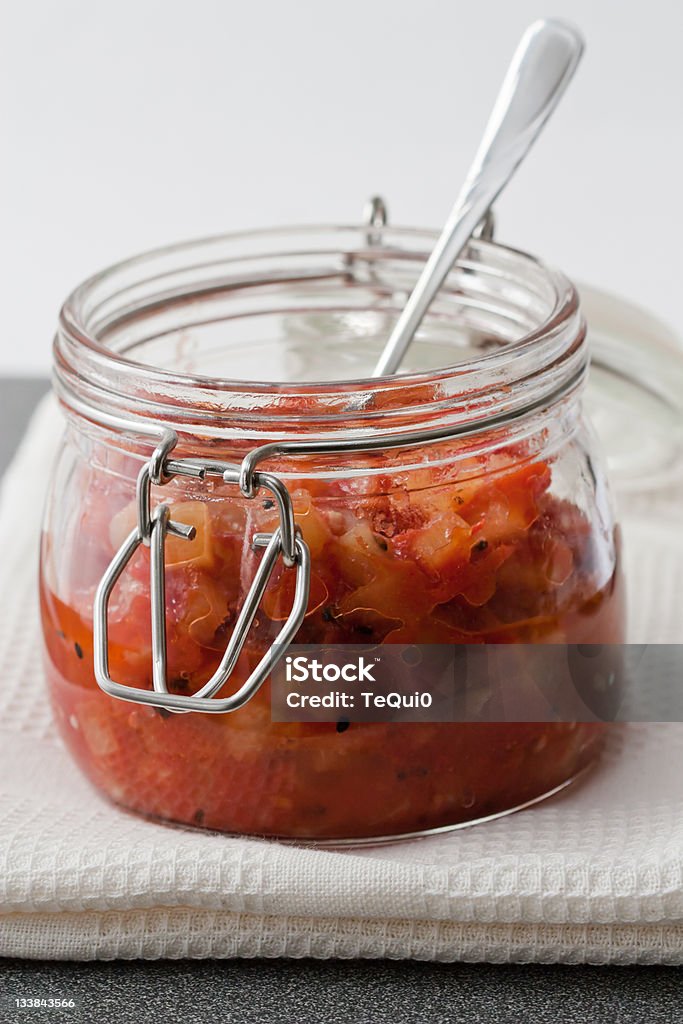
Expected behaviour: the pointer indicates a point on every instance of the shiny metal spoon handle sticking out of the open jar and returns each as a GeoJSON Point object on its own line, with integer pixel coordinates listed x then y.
{"type": "Point", "coordinates": [541, 70]}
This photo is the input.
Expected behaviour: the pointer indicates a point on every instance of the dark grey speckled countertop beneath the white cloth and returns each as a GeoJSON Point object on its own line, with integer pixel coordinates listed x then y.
{"type": "Point", "coordinates": [349, 992]}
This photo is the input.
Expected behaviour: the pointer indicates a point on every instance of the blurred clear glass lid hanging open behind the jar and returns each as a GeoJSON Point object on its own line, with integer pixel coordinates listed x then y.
{"type": "Point", "coordinates": [635, 392]}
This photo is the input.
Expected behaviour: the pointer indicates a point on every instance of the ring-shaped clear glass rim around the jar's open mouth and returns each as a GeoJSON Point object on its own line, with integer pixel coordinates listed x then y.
{"type": "Point", "coordinates": [97, 374]}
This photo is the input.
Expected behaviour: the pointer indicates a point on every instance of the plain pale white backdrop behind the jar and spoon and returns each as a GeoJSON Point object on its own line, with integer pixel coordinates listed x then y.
{"type": "Point", "coordinates": [135, 123]}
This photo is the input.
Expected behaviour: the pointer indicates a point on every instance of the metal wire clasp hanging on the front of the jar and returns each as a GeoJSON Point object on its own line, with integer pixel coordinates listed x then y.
{"type": "Point", "coordinates": [152, 530]}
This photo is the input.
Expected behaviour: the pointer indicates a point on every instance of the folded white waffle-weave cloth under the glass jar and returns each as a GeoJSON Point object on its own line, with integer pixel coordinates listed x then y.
{"type": "Point", "coordinates": [594, 875]}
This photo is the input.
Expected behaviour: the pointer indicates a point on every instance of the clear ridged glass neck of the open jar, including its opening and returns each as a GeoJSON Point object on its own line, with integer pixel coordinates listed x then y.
{"type": "Point", "coordinates": [511, 327]}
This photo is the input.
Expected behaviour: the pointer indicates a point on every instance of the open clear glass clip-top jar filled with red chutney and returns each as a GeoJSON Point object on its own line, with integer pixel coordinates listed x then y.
{"type": "Point", "coordinates": [461, 502]}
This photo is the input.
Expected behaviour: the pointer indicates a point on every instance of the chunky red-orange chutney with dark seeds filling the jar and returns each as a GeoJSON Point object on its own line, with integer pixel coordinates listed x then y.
{"type": "Point", "coordinates": [433, 558]}
